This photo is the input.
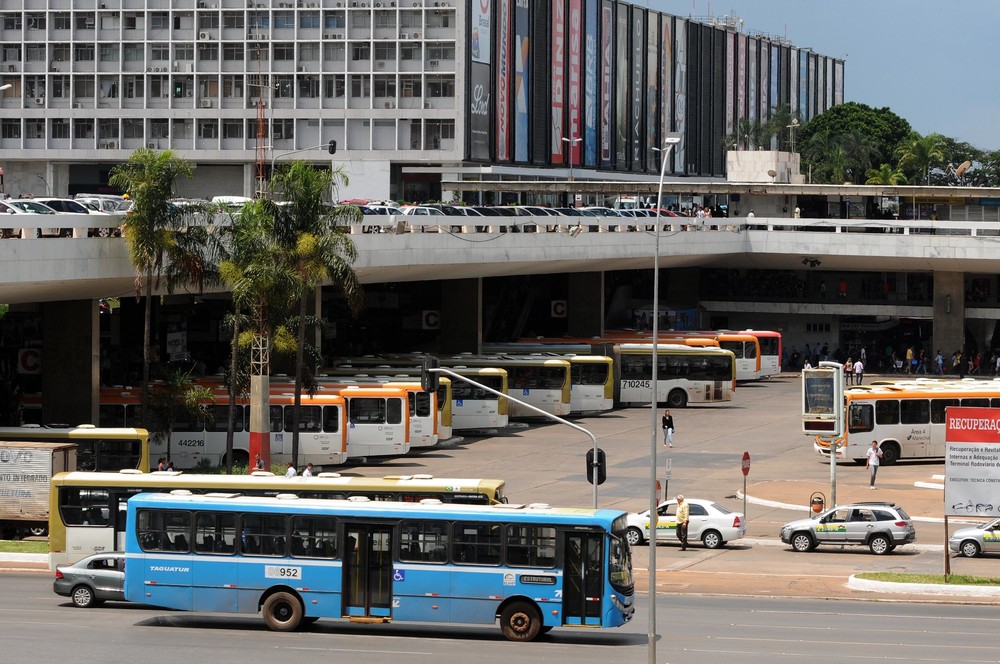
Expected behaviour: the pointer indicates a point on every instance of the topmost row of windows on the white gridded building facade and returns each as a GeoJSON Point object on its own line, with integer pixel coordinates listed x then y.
{"type": "Point", "coordinates": [256, 19]}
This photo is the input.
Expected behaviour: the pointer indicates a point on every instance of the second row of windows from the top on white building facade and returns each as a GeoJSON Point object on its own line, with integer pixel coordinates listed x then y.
{"type": "Point", "coordinates": [229, 50]}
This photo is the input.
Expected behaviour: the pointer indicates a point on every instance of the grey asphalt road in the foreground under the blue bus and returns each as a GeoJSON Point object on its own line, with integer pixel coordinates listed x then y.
{"type": "Point", "coordinates": [38, 626]}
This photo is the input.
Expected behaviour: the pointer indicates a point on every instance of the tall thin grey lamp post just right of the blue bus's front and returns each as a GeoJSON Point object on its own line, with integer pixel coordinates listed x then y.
{"type": "Point", "coordinates": [669, 141]}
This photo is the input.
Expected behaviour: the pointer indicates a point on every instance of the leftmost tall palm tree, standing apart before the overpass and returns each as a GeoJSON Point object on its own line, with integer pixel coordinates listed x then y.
{"type": "Point", "coordinates": [148, 178]}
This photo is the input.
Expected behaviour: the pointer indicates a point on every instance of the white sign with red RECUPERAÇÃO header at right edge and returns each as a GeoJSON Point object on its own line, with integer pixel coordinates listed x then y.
{"type": "Point", "coordinates": [972, 462]}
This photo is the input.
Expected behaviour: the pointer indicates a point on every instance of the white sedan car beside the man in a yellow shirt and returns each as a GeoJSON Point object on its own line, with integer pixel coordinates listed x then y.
{"type": "Point", "coordinates": [710, 522]}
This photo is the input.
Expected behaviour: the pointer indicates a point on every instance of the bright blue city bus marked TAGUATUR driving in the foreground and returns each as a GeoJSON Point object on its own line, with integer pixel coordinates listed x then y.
{"type": "Point", "coordinates": [295, 560]}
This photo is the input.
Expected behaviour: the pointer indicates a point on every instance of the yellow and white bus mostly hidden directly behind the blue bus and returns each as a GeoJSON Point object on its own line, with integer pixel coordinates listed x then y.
{"type": "Point", "coordinates": [87, 510]}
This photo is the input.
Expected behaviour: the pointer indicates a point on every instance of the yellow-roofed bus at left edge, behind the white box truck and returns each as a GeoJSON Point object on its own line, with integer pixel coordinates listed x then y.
{"type": "Point", "coordinates": [102, 449]}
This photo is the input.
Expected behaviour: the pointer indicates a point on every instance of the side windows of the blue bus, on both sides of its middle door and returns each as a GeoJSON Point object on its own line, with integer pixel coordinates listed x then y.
{"type": "Point", "coordinates": [301, 536]}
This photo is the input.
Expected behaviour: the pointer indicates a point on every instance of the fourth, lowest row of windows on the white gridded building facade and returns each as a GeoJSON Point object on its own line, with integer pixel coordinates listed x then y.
{"type": "Point", "coordinates": [85, 128]}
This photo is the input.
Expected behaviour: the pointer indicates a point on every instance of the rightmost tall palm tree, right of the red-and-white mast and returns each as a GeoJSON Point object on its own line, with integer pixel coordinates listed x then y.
{"type": "Point", "coordinates": [318, 251]}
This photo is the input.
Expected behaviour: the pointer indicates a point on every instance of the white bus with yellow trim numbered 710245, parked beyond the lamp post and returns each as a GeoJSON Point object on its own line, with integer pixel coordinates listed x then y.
{"type": "Point", "coordinates": [683, 375]}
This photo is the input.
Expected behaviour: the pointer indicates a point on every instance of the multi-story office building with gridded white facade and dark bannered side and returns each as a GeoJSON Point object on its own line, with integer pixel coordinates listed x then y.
{"type": "Point", "coordinates": [412, 91]}
